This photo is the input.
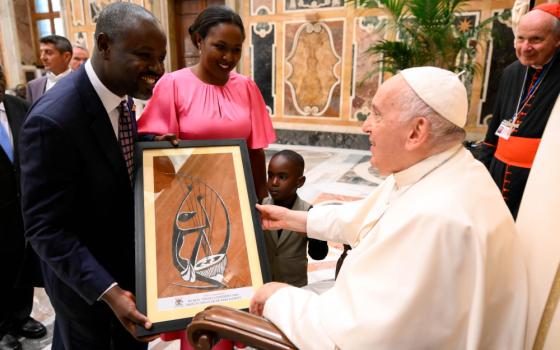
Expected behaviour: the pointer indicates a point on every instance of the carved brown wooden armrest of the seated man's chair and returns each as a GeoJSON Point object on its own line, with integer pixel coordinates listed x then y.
{"type": "Point", "coordinates": [217, 322]}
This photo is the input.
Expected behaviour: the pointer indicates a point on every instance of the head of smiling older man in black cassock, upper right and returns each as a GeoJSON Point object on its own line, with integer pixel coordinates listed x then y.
{"type": "Point", "coordinates": [537, 38]}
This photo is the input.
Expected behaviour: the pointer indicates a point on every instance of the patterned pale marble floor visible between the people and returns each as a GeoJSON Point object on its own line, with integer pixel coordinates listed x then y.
{"type": "Point", "coordinates": [331, 175]}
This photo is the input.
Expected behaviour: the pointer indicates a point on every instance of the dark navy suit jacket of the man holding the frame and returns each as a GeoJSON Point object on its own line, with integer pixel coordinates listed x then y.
{"type": "Point", "coordinates": [78, 203]}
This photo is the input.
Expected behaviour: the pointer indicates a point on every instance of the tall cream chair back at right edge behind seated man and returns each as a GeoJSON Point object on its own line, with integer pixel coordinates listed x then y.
{"type": "Point", "coordinates": [538, 225]}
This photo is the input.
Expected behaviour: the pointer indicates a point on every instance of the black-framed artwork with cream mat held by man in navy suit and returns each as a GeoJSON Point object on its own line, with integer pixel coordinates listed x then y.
{"type": "Point", "coordinates": [198, 236]}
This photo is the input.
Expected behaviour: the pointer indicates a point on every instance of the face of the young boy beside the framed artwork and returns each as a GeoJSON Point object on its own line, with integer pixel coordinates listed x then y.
{"type": "Point", "coordinates": [283, 179]}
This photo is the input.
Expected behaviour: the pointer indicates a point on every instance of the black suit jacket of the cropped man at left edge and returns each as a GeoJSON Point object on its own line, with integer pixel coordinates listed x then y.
{"type": "Point", "coordinates": [12, 251]}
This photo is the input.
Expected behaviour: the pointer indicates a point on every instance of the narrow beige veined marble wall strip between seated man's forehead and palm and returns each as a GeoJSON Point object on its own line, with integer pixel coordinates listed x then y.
{"type": "Point", "coordinates": [365, 69]}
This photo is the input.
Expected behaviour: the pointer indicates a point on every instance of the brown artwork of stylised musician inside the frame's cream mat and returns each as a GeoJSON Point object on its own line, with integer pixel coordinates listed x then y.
{"type": "Point", "coordinates": [199, 246]}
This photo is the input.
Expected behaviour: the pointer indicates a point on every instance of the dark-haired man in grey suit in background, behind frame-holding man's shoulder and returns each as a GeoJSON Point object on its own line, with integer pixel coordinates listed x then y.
{"type": "Point", "coordinates": [56, 53]}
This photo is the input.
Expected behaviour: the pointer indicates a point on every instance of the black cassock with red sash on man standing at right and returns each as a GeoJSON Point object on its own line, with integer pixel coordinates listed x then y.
{"type": "Point", "coordinates": [509, 161]}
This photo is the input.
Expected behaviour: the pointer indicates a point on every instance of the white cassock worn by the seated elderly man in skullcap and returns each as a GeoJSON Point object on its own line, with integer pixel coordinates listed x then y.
{"type": "Point", "coordinates": [436, 264]}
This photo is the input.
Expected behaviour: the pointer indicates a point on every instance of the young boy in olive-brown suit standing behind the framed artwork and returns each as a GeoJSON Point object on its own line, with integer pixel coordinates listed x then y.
{"type": "Point", "coordinates": [287, 250]}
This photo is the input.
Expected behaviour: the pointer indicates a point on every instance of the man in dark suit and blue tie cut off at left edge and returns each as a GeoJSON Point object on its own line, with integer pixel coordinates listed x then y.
{"type": "Point", "coordinates": [17, 296]}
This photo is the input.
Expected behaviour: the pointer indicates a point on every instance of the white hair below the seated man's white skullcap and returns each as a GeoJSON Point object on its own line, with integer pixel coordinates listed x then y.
{"type": "Point", "coordinates": [442, 131]}
